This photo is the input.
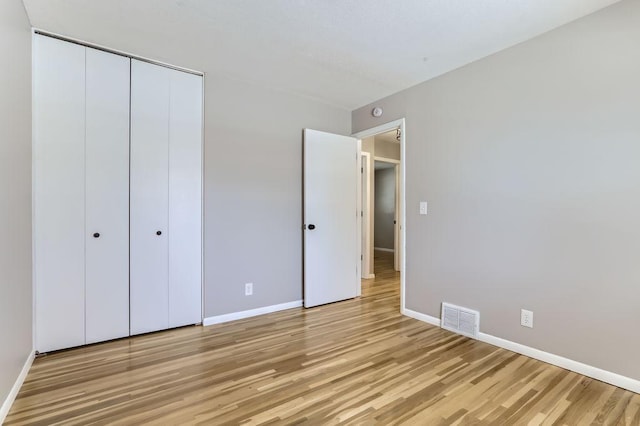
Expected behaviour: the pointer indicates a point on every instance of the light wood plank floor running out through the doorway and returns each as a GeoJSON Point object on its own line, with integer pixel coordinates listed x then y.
{"type": "Point", "coordinates": [353, 362]}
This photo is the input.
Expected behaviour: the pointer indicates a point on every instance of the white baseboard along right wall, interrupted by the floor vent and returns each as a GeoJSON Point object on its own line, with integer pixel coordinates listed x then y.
{"type": "Point", "coordinates": [586, 370]}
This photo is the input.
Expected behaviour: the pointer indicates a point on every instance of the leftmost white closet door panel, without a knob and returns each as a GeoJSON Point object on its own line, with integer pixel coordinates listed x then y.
{"type": "Point", "coordinates": [59, 177]}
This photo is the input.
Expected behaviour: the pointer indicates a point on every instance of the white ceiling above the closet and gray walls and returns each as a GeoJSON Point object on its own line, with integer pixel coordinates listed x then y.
{"type": "Point", "coordinates": [344, 52]}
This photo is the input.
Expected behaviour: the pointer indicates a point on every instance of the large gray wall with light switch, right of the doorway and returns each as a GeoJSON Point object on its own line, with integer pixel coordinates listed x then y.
{"type": "Point", "coordinates": [530, 161]}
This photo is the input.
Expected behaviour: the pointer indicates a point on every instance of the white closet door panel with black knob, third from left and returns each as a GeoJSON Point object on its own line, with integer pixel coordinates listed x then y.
{"type": "Point", "coordinates": [149, 290]}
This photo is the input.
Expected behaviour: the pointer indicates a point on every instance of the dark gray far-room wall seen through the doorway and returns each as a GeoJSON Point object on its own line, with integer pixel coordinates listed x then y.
{"type": "Point", "coordinates": [385, 207]}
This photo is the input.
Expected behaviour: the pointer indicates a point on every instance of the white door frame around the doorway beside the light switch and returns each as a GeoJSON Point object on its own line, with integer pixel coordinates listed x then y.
{"type": "Point", "coordinates": [400, 123]}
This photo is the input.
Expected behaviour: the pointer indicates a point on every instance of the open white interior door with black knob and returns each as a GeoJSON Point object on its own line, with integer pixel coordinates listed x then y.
{"type": "Point", "coordinates": [331, 245]}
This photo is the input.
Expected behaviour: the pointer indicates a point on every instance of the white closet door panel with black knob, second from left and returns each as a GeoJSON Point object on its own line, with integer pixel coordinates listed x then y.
{"type": "Point", "coordinates": [107, 196]}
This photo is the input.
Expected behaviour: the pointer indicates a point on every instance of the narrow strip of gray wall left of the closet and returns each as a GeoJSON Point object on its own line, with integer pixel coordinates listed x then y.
{"type": "Point", "coordinates": [15, 193]}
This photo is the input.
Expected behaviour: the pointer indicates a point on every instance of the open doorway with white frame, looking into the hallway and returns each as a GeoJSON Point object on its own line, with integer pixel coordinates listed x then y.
{"type": "Point", "coordinates": [382, 201]}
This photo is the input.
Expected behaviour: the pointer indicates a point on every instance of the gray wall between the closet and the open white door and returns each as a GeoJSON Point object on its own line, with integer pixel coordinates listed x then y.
{"type": "Point", "coordinates": [253, 192]}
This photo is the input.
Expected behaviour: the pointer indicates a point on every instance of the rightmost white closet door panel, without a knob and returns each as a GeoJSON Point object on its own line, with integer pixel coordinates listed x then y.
{"type": "Point", "coordinates": [185, 195]}
